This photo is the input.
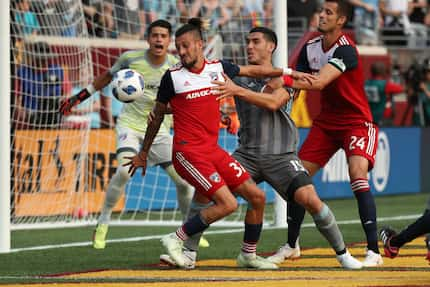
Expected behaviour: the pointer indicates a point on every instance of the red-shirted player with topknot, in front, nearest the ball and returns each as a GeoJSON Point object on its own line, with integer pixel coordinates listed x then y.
{"type": "Point", "coordinates": [196, 154]}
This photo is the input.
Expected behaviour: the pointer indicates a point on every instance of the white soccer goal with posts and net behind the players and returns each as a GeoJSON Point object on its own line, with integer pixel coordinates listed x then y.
{"type": "Point", "coordinates": [53, 172]}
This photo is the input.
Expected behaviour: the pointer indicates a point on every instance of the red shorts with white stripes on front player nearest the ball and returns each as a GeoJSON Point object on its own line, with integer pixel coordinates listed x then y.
{"type": "Point", "coordinates": [209, 171]}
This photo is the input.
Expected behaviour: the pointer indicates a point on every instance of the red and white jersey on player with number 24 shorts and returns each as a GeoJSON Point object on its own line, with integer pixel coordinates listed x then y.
{"type": "Point", "coordinates": [343, 102]}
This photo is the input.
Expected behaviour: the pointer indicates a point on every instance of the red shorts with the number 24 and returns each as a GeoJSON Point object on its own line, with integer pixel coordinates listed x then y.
{"type": "Point", "coordinates": [322, 143]}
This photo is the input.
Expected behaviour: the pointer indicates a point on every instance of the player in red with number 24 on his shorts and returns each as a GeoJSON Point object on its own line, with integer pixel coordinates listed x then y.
{"type": "Point", "coordinates": [345, 121]}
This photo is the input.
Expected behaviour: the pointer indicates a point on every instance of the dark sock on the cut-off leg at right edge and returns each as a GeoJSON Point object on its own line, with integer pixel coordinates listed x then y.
{"type": "Point", "coordinates": [420, 227]}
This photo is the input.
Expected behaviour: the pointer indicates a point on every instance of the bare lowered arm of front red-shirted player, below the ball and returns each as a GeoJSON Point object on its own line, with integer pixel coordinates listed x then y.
{"type": "Point", "coordinates": [154, 124]}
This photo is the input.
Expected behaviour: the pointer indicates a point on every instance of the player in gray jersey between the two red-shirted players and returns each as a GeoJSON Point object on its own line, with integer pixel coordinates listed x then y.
{"type": "Point", "coordinates": [268, 144]}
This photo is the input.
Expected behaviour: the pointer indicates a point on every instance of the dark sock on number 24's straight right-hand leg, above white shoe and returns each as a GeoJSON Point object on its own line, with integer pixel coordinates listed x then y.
{"type": "Point", "coordinates": [367, 211]}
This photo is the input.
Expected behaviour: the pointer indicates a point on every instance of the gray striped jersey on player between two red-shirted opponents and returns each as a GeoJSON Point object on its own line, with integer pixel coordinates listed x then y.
{"type": "Point", "coordinates": [263, 131]}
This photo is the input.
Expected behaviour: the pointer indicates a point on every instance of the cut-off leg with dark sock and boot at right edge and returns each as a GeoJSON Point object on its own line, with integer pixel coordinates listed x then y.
{"type": "Point", "coordinates": [393, 241]}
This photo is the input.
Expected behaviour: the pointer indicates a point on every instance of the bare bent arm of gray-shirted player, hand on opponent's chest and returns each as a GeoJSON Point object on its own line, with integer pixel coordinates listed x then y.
{"type": "Point", "coordinates": [268, 98]}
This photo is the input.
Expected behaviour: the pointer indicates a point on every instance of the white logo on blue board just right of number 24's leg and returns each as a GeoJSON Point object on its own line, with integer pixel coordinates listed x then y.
{"type": "Point", "coordinates": [381, 171]}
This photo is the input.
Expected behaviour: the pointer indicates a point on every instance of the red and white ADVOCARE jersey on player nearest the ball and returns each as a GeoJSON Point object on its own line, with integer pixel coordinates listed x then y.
{"type": "Point", "coordinates": [196, 112]}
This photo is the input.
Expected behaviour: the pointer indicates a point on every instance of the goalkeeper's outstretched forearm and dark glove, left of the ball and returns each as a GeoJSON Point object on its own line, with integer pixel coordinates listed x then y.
{"type": "Point", "coordinates": [99, 83]}
